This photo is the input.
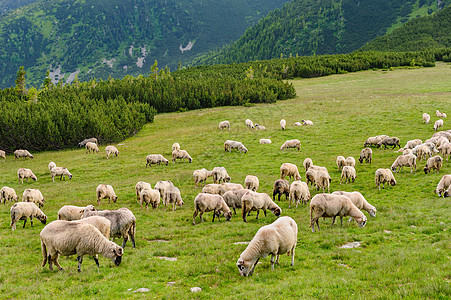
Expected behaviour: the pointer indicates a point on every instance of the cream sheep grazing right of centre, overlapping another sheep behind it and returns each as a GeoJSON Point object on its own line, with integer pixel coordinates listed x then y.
{"type": "Point", "coordinates": [331, 206]}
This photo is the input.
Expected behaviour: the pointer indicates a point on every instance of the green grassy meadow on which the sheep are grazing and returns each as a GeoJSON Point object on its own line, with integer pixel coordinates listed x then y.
{"type": "Point", "coordinates": [405, 249]}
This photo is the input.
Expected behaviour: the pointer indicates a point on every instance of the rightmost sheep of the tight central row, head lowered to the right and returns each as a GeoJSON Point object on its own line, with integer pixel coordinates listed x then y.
{"type": "Point", "coordinates": [253, 201]}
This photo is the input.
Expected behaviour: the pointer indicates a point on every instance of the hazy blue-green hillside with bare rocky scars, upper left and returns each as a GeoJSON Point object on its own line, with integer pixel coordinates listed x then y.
{"type": "Point", "coordinates": [96, 39]}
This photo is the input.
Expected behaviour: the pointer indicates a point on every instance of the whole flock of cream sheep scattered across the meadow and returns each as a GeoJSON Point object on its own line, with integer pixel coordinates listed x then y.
{"type": "Point", "coordinates": [87, 231]}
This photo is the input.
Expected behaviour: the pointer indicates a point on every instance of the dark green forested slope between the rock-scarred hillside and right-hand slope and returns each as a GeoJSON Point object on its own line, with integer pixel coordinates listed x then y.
{"type": "Point", "coordinates": [309, 27]}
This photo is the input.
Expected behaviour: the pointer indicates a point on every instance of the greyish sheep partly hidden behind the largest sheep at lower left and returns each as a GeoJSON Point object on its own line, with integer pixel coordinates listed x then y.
{"type": "Point", "coordinates": [123, 223]}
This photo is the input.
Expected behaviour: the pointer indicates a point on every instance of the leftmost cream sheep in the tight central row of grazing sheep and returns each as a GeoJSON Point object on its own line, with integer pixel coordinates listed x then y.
{"type": "Point", "coordinates": [210, 202]}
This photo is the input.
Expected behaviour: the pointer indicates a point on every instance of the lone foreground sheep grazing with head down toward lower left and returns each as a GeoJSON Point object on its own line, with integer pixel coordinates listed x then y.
{"type": "Point", "coordinates": [277, 238]}
